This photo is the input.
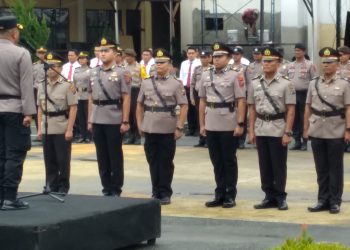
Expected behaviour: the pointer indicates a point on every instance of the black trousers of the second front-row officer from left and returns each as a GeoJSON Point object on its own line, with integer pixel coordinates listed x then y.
{"type": "Point", "coordinates": [108, 143]}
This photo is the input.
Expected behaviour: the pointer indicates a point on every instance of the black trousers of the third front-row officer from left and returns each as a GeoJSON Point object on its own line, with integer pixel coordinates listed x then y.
{"type": "Point", "coordinates": [160, 152]}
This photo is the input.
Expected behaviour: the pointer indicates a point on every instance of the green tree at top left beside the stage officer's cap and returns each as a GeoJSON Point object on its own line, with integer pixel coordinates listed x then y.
{"type": "Point", "coordinates": [35, 31]}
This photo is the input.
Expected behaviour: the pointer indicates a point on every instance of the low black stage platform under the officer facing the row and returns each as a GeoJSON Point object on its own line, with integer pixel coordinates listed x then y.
{"type": "Point", "coordinates": [81, 223]}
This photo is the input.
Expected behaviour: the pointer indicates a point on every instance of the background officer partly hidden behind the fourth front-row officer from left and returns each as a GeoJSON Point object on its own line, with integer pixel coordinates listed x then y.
{"type": "Point", "coordinates": [205, 57]}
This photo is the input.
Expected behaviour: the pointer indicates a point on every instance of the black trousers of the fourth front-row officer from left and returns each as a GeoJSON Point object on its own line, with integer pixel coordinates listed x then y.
{"type": "Point", "coordinates": [222, 151]}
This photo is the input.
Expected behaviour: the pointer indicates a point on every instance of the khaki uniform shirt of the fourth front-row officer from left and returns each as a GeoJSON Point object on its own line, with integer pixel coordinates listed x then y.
{"type": "Point", "coordinates": [227, 84]}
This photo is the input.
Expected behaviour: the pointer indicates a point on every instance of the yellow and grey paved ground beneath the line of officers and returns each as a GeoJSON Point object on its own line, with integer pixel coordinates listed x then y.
{"type": "Point", "coordinates": [187, 224]}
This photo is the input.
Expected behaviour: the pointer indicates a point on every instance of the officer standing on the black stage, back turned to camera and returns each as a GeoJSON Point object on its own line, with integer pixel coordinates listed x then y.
{"type": "Point", "coordinates": [16, 109]}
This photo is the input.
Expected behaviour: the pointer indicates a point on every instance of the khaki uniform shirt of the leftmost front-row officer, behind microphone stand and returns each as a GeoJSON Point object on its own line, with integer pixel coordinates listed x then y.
{"type": "Point", "coordinates": [63, 94]}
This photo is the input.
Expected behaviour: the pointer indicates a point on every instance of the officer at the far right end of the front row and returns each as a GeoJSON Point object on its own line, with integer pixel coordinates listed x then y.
{"type": "Point", "coordinates": [327, 124]}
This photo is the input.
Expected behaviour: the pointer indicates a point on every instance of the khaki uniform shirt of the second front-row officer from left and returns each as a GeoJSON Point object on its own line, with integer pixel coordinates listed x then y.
{"type": "Point", "coordinates": [114, 83]}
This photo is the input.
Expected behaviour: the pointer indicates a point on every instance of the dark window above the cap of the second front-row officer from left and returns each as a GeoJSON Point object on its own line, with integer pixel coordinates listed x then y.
{"type": "Point", "coordinates": [101, 23]}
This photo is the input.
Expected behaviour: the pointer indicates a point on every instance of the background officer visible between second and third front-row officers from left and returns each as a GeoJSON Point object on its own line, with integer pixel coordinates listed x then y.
{"type": "Point", "coordinates": [134, 69]}
